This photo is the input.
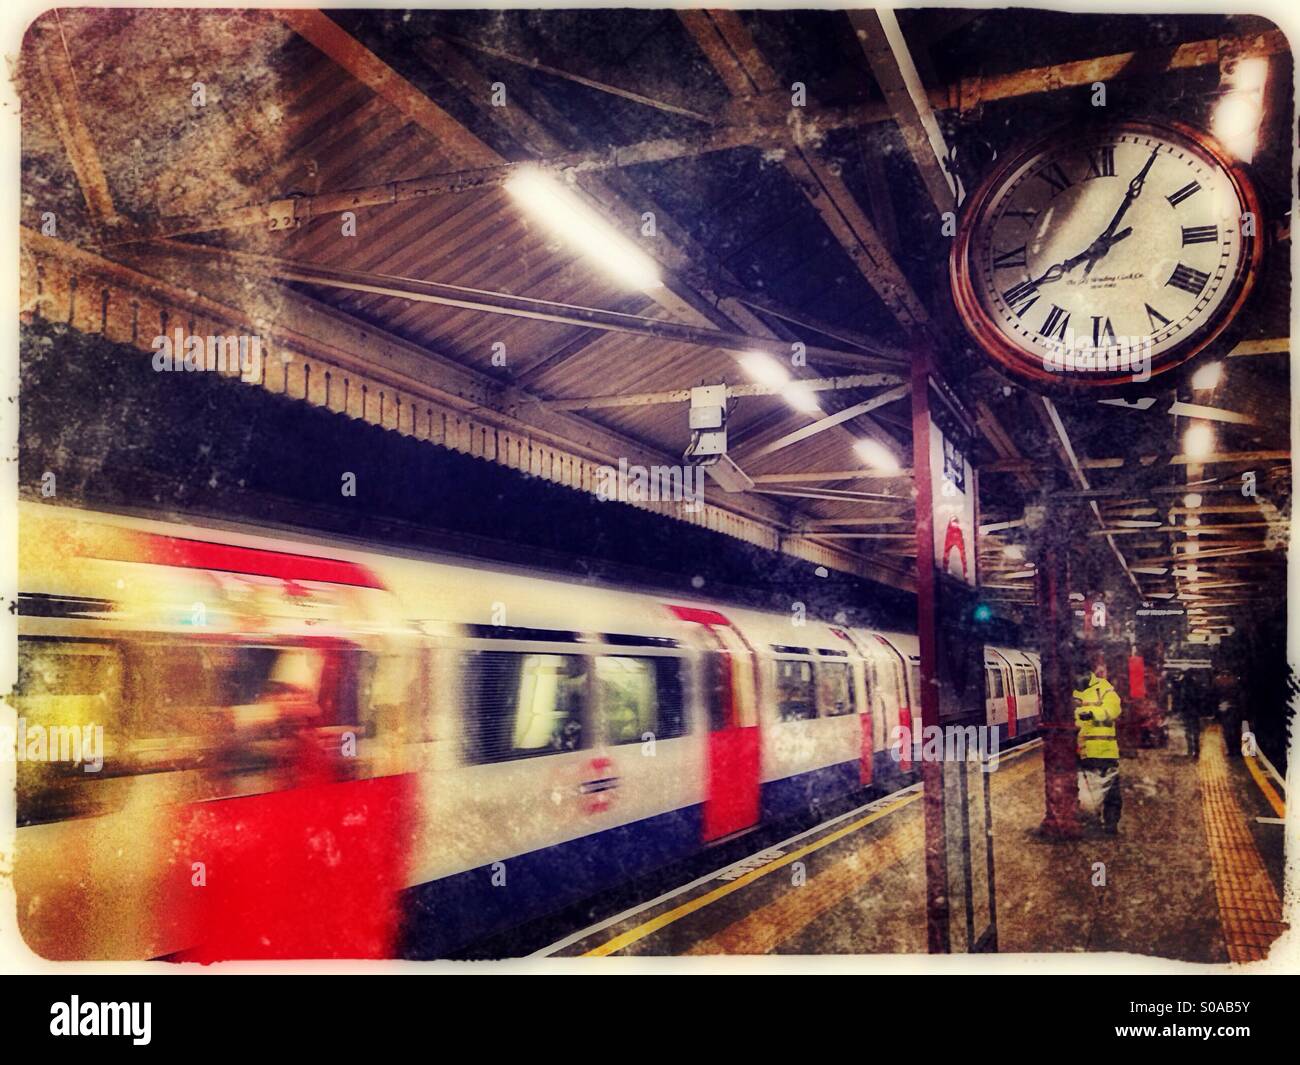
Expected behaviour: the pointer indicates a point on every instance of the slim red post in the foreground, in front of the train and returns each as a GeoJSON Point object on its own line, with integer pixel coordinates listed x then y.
{"type": "Point", "coordinates": [931, 770]}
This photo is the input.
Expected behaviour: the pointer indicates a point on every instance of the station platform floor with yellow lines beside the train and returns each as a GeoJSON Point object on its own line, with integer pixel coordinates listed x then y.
{"type": "Point", "coordinates": [1194, 874]}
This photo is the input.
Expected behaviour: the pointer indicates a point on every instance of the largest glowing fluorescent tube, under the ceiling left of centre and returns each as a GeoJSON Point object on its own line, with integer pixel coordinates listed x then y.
{"type": "Point", "coordinates": [562, 211]}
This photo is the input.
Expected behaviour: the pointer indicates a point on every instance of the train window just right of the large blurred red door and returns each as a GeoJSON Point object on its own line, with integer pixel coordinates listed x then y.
{"type": "Point", "coordinates": [523, 705]}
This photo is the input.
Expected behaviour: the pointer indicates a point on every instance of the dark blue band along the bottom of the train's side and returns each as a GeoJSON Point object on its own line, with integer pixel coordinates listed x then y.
{"type": "Point", "coordinates": [444, 916]}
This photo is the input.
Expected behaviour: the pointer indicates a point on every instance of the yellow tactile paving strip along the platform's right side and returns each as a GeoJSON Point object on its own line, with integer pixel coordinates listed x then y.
{"type": "Point", "coordinates": [1250, 910]}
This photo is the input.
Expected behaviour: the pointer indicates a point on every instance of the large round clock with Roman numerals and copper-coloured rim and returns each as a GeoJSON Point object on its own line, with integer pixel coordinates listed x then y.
{"type": "Point", "coordinates": [1102, 253]}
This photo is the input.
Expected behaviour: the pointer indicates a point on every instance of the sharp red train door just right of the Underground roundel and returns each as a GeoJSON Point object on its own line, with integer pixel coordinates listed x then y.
{"type": "Point", "coordinates": [731, 699]}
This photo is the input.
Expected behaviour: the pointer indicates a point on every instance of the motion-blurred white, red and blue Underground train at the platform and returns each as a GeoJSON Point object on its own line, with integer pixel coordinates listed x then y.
{"type": "Point", "coordinates": [315, 751]}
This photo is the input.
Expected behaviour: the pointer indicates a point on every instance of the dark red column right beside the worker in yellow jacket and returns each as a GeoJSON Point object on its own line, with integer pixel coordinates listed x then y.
{"type": "Point", "coordinates": [1060, 764]}
